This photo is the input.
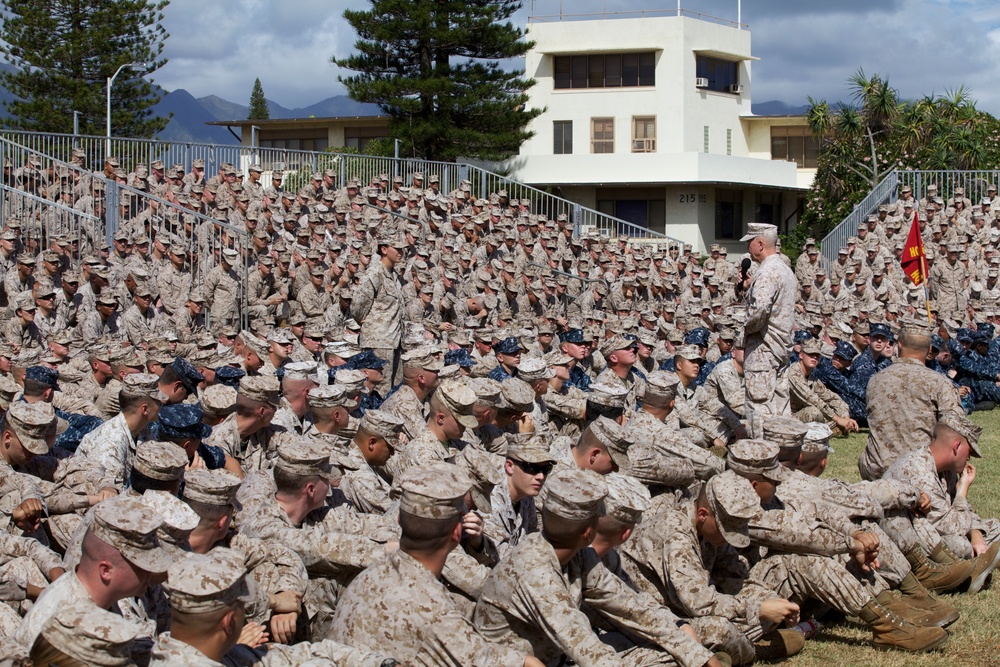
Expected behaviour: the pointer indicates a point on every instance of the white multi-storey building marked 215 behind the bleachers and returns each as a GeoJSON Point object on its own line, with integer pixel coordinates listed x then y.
{"type": "Point", "coordinates": [649, 119]}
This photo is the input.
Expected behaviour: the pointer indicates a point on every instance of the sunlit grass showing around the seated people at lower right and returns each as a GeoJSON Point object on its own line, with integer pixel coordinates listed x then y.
{"type": "Point", "coordinates": [975, 637]}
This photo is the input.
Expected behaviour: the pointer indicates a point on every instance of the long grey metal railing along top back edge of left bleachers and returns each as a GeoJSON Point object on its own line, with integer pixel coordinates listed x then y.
{"type": "Point", "coordinates": [132, 152]}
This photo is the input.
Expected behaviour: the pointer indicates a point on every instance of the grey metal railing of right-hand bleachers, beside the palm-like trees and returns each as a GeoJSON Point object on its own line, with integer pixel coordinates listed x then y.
{"type": "Point", "coordinates": [975, 182]}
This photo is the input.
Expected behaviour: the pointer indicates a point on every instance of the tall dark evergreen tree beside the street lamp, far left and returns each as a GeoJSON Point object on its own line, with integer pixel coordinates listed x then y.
{"type": "Point", "coordinates": [64, 51]}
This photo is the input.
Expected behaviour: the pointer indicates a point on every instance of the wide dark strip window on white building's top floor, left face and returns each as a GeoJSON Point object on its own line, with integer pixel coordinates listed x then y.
{"type": "Point", "coordinates": [605, 70]}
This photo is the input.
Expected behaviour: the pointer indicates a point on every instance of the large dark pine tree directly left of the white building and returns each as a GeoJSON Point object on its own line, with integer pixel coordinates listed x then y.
{"type": "Point", "coordinates": [434, 67]}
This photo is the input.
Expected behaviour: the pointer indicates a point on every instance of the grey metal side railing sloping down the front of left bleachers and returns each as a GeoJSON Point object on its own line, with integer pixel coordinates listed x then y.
{"type": "Point", "coordinates": [52, 194]}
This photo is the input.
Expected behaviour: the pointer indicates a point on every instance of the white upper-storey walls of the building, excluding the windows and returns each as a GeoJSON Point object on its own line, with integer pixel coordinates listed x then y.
{"type": "Point", "coordinates": [681, 110]}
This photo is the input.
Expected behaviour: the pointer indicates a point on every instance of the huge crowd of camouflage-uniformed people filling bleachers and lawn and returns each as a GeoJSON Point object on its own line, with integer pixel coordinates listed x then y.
{"type": "Point", "coordinates": [398, 425]}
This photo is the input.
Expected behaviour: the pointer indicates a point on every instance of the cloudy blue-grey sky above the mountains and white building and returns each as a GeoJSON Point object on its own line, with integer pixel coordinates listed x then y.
{"type": "Point", "coordinates": [806, 47]}
